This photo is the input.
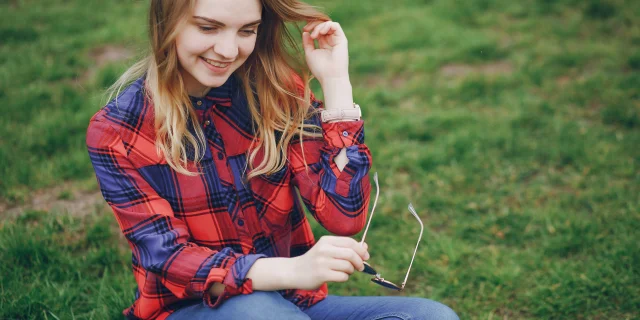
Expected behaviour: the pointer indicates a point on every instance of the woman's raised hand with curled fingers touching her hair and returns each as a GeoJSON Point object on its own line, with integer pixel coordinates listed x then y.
{"type": "Point", "coordinates": [331, 59]}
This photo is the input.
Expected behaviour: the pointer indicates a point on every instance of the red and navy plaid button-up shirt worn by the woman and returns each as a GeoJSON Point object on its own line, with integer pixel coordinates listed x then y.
{"type": "Point", "coordinates": [187, 232]}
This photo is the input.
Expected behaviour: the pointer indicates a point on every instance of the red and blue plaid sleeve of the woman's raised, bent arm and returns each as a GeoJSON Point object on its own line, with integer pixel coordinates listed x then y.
{"type": "Point", "coordinates": [337, 199]}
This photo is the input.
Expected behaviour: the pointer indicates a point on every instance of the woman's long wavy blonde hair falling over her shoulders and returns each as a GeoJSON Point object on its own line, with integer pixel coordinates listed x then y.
{"type": "Point", "coordinates": [268, 78]}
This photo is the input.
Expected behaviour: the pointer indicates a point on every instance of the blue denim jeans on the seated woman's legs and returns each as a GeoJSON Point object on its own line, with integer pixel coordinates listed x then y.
{"type": "Point", "coordinates": [271, 305]}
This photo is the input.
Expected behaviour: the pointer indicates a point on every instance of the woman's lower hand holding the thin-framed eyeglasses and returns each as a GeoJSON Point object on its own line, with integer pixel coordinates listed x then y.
{"type": "Point", "coordinates": [331, 259]}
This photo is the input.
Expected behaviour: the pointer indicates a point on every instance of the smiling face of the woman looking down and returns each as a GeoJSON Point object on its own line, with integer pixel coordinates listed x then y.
{"type": "Point", "coordinates": [217, 39]}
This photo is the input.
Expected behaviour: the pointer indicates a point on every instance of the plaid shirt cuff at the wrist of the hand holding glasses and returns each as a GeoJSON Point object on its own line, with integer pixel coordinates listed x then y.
{"type": "Point", "coordinates": [234, 279]}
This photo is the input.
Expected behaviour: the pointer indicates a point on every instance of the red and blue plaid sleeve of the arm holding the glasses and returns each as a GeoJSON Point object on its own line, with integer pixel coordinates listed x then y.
{"type": "Point", "coordinates": [163, 252]}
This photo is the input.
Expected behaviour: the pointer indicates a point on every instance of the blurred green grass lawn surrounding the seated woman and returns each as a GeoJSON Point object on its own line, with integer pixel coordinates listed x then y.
{"type": "Point", "coordinates": [512, 126]}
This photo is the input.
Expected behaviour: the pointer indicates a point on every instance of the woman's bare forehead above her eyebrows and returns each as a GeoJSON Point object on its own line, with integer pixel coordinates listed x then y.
{"type": "Point", "coordinates": [229, 12]}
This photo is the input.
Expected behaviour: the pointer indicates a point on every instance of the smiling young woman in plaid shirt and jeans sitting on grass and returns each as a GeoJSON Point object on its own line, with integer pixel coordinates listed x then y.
{"type": "Point", "coordinates": [208, 151]}
